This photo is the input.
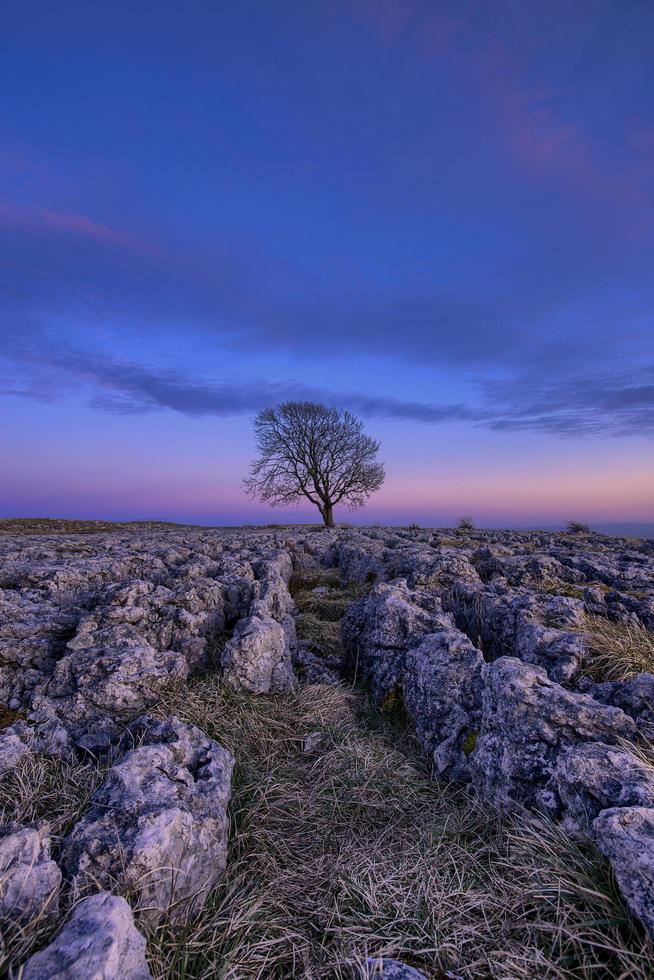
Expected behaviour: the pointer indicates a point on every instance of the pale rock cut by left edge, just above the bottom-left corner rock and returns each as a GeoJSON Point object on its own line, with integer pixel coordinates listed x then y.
{"type": "Point", "coordinates": [29, 878]}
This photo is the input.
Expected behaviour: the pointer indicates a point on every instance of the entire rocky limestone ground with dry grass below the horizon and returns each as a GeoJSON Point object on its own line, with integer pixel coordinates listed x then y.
{"type": "Point", "coordinates": [292, 752]}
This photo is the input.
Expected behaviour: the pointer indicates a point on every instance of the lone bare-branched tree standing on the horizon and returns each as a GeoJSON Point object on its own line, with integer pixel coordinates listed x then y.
{"type": "Point", "coordinates": [308, 450]}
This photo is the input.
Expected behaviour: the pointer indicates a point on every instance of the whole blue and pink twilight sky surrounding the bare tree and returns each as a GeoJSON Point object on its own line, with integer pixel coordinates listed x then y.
{"type": "Point", "coordinates": [439, 215]}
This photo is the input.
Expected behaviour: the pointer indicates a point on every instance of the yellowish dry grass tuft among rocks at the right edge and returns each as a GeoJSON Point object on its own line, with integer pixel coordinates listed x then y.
{"type": "Point", "coordinates": [617, 651]}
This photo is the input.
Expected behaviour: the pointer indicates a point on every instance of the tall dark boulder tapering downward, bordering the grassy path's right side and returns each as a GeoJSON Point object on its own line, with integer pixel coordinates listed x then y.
{"type": "Point", "coordinates": [442, 692]}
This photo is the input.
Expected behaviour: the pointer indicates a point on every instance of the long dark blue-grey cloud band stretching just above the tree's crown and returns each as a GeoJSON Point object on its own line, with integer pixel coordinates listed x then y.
{"type": "Point", "coordinates": [603, 405]}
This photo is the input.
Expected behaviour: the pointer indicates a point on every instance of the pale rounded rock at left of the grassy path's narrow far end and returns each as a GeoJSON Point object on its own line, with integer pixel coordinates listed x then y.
{"type": "Point", "coordinates": [258, 657]}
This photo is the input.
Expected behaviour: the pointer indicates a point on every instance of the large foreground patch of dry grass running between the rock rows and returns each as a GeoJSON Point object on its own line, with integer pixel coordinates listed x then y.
{"type": "Point", "coordinates": [353, 850]}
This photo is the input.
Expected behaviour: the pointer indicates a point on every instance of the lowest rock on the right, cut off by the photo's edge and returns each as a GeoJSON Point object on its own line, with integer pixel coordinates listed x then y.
{"type": "Point", "coordinates": [626, 837]}
